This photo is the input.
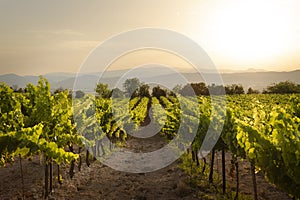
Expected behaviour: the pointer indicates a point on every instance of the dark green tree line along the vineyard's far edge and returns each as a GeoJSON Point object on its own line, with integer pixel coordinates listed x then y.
{"type": "Point", "coordinates": [135, 88]}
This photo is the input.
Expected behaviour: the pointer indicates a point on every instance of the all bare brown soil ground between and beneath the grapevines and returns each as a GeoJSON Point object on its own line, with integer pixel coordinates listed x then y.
{"type": "Point", "coordinates": [101, 182]}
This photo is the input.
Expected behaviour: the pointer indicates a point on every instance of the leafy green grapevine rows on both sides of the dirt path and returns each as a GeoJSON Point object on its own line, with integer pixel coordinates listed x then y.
{"type": "Point", "coordinates": [262, 129]}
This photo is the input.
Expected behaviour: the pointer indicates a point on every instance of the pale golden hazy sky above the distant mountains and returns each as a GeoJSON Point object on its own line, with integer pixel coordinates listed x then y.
{"type": "Point", "coordinates": [39, 37]}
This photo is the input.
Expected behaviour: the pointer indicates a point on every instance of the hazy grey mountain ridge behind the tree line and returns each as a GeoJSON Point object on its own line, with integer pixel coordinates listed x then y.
{"type": "Point", "coordinates": [255, 79]}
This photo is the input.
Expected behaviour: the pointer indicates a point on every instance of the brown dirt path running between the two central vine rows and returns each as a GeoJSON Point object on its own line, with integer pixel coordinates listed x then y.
{"type": "Point", "coordinates": [102, 182]}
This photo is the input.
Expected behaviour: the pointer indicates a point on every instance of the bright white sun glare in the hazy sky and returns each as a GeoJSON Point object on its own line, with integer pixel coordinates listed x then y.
{"type": "Point", "coordinates": [252, 31]}
